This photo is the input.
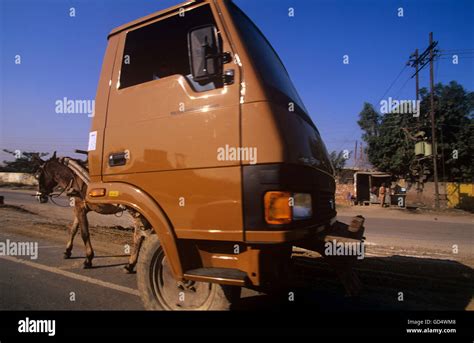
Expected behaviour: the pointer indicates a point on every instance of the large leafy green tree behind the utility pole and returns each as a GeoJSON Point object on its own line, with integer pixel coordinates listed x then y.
{"type": "Point", "coordinates": [390, 148]}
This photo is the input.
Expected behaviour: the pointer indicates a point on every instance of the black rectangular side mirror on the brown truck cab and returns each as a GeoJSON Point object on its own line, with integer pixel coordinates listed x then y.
{"type": "Point", "coordinates": [205, 57]}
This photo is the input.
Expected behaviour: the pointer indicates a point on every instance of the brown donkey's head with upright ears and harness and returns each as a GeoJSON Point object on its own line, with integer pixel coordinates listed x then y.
{"type": "Point", "coordinates": [50, 174]}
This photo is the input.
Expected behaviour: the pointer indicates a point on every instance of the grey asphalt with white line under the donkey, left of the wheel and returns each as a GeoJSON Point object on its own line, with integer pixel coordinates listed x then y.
{"type": "Point", "coordinates": [51, 283]}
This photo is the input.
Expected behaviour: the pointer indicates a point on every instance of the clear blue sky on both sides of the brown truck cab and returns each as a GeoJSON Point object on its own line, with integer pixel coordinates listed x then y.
{"type": "Point", "coordinates": [61, 57]}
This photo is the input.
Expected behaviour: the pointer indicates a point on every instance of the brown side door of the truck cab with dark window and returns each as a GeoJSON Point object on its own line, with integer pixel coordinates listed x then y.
{"type": "Point", "coordinates": [163, 129]}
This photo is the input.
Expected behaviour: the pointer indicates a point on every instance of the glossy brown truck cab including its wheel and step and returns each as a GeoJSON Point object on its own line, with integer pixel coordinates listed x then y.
{"type": "Point", "coordinates": [199, 128]}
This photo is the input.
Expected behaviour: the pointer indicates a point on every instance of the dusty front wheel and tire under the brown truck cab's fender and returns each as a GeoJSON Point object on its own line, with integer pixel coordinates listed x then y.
{"type": "Point", "coordinates": [160, 291]}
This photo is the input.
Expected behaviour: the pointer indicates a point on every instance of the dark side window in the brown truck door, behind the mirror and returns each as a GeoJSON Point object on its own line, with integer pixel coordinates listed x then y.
{"type": "Point", "coordinates": [160, 50]}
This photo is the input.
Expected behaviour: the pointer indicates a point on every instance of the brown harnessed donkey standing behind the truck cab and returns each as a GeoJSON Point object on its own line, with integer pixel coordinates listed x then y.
{"type": "Point", "coordinates": [53, 173]}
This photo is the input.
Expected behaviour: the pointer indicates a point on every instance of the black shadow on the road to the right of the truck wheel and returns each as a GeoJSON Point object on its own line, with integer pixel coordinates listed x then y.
{"type": "Point", "coordinates": [390, 283]}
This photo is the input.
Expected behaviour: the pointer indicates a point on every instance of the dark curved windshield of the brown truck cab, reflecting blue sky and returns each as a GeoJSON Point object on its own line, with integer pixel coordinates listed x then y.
{"type": "Point", "coordinates": [266, 60]}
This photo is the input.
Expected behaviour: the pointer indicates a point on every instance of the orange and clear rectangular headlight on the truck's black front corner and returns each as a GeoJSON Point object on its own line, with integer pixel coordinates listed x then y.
{"type": "Point", "coordinates": [283, 207]}
